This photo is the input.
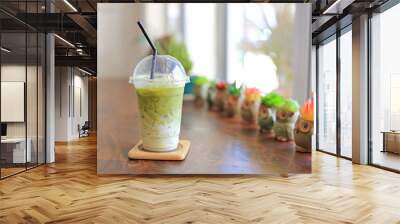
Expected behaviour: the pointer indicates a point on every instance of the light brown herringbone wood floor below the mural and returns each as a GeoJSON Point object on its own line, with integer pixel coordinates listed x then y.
{"type": "Point", "coordinates": [69, 191]}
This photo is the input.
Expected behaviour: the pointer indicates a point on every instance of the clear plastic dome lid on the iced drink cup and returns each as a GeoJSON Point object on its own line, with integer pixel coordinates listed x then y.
{"type": "Point", "coordinates": [167, 71]}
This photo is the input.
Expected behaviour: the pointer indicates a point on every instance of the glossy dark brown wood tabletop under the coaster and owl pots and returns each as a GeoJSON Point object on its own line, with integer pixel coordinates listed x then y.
{"type": "Point", "coordinates": [219, 145]}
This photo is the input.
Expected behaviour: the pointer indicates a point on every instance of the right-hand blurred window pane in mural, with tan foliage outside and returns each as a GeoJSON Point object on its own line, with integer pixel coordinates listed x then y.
{"type": "Point", "coordinates": [255, 39]}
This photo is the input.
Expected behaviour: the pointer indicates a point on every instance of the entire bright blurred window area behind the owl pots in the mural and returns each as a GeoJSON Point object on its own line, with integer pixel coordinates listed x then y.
{"type": "Point", "coordinates": [251, 44]}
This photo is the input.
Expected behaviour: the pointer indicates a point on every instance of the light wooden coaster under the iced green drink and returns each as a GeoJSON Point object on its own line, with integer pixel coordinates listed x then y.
{"type": "Point", "coordinates": [137, 152]}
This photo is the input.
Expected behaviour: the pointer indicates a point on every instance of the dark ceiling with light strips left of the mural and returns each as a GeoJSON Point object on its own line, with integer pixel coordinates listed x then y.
{"type": "Point", "coordinates": [75, 42]}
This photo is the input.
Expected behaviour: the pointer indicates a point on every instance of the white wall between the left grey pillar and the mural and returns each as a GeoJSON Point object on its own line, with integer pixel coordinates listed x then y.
{"type": "Point", "coordinates": [68, 82]}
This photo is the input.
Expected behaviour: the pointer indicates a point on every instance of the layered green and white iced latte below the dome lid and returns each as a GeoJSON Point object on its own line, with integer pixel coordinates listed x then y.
{"type": "Point", "coordinates": [160, 107]}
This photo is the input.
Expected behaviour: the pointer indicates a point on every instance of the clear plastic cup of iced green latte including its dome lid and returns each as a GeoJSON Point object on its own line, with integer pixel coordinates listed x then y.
{"type": "Point", "coordinates": [160, 101]}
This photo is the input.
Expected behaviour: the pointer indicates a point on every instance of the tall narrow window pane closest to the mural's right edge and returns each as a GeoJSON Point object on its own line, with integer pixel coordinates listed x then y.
{"type": "Point", "coordinates": [327, 97]}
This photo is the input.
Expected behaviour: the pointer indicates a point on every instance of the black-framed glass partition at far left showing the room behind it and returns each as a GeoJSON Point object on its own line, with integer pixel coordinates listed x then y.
{"type": "Point", "coordinates": [22, 78]}
